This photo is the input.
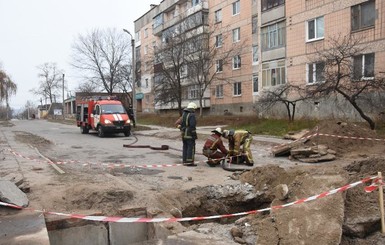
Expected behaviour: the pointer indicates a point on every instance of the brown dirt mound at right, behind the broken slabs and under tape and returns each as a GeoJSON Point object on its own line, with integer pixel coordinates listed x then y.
{"type": "Point", "coordinates": [341, 137]}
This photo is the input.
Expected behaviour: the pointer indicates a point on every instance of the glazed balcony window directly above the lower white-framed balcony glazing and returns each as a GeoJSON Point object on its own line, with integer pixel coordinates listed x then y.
{"type": "Point", "coordinates": [273, 36]}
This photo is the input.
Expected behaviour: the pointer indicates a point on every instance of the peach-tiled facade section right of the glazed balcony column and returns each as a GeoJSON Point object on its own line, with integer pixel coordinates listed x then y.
{"type": "Point", "coordinates": [311, 24]}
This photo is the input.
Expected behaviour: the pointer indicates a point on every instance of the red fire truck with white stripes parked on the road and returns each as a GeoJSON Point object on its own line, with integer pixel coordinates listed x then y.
{"type": "Point", "coordinates": [104, 115]}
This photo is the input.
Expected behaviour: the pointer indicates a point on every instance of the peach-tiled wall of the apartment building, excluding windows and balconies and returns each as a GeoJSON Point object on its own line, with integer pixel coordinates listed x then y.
{"type": "Point", "coordinates": [297, 51]}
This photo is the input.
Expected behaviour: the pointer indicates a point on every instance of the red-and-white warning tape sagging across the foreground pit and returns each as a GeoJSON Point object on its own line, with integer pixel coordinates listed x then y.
{"type": "Point", "coordinates": [156, 220]}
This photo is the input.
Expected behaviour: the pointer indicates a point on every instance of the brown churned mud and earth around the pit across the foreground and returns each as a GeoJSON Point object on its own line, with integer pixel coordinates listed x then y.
{"type": "Point", "coordinates": [349, 217]}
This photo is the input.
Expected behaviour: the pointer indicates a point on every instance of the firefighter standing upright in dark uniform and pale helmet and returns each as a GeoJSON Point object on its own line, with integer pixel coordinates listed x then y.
{"type": "Point", "coordinates": [187, 126]}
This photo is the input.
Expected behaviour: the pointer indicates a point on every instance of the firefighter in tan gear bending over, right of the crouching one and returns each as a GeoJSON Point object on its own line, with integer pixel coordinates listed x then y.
{"type": "Point", "coordinates": [237, 139]}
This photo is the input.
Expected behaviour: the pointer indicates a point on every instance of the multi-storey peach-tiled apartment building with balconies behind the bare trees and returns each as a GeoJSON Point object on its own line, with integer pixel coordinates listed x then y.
{"type": "Point", "coordinates": [276, 40]}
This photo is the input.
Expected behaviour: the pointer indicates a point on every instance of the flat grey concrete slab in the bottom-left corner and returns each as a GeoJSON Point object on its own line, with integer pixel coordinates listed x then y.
{"type": "Point", "coordinates": [23, 228]}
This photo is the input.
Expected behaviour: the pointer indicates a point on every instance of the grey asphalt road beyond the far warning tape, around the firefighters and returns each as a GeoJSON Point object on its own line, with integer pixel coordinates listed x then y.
{"type": "Point", "coordinates": [70, 144]}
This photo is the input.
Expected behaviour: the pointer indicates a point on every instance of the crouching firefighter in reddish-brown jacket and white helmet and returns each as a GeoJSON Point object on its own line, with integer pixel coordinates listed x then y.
{"type": "Point", "coordinates": [214, 149]}
